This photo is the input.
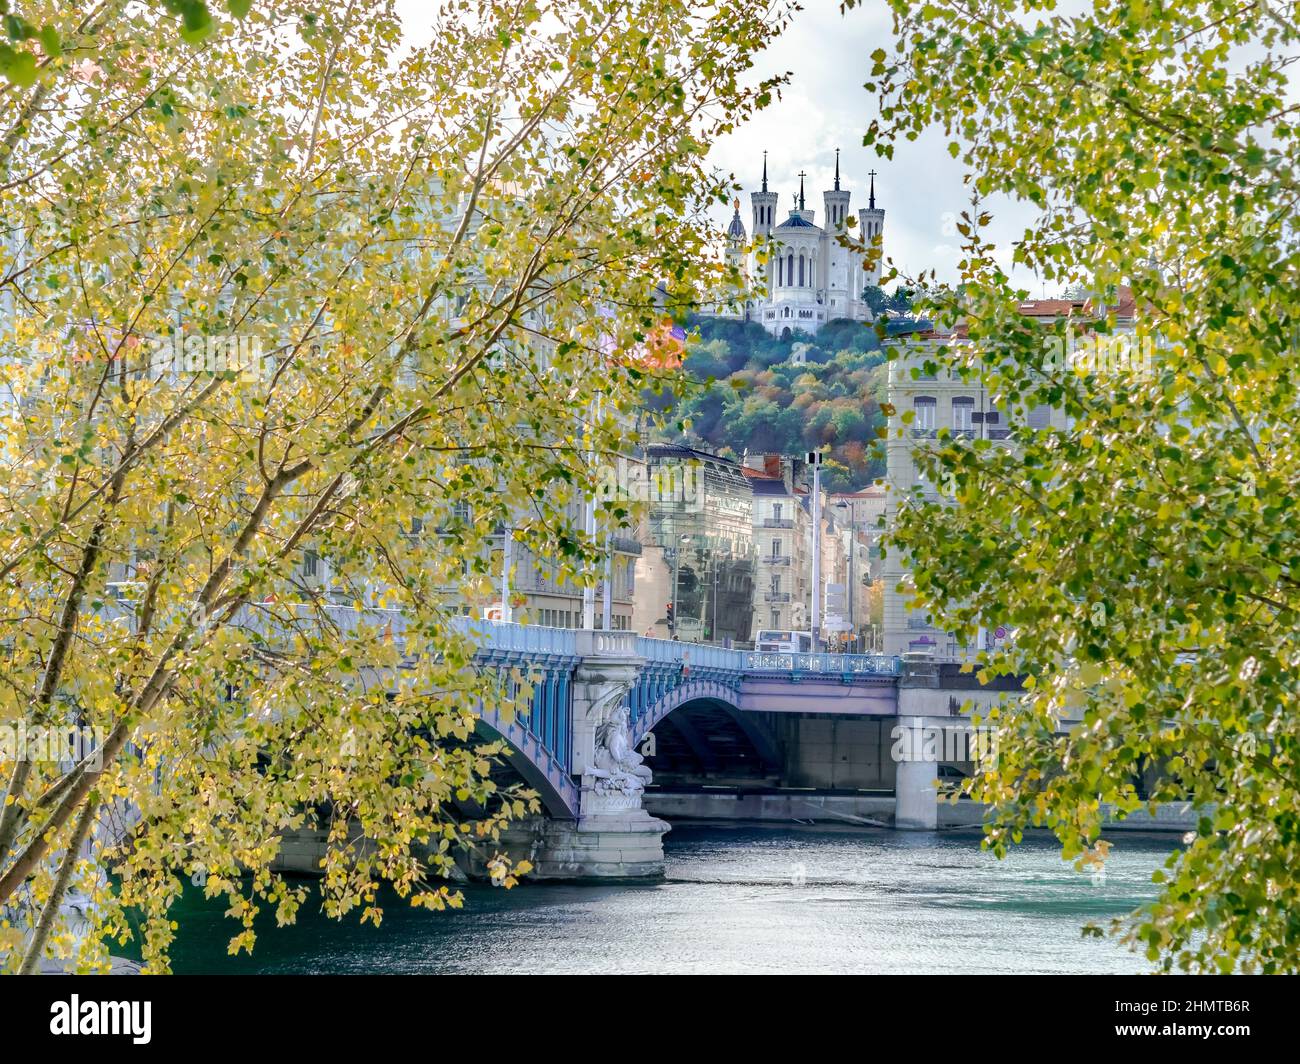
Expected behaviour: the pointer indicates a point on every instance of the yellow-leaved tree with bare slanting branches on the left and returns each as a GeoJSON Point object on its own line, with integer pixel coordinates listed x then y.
{"type": "Point", "coordinates": [294, 297]}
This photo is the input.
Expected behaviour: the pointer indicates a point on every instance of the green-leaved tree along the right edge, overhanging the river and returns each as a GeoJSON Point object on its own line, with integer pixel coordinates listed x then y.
{"type": "Point", "coordinates": [1147, 557]}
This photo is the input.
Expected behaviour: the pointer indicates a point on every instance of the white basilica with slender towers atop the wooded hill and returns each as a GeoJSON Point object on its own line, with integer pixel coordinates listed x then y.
{"type": "Point", "coordinates": [798, 275]}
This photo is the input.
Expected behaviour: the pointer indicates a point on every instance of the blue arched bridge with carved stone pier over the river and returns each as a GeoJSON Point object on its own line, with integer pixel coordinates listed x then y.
{"type": "Point", "coordinates": [613, 713]}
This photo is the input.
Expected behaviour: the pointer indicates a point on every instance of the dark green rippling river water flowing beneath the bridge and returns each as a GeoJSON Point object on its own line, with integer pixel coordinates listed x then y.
{"type": "Point", "coordinates": [739, 899]}
